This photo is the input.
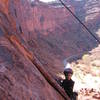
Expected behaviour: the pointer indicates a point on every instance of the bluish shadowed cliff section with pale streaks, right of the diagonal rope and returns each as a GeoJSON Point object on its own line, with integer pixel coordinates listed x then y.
{"type": "Point", "coordinates": [88, 11]}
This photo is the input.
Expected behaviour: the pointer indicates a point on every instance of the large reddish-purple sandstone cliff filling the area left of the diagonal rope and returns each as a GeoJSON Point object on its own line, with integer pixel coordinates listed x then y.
{"type": "Point", "coordinates": [34, 29]}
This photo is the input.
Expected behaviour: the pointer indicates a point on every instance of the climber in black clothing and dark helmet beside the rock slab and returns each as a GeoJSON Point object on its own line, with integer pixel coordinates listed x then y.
{"type": "Point", "coordinates": [68, 84]}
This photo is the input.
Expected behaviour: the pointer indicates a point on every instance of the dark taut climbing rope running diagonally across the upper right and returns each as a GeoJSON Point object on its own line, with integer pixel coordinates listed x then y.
{"type": "Point", "coordinates": [80, 21]}
